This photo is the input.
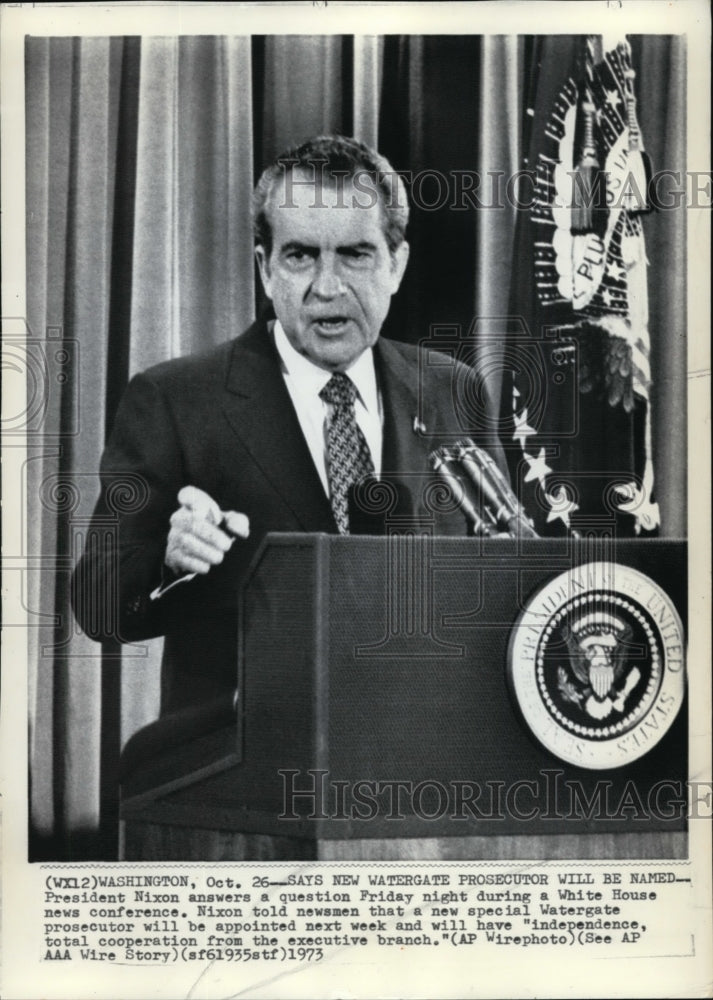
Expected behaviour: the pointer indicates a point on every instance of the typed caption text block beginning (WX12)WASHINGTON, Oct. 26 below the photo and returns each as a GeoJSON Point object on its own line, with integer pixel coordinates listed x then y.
{"type": "Point", "coordinates": [159, 916]}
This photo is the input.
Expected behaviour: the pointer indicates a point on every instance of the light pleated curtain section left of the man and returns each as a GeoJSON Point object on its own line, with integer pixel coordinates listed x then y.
{"type": "Point", "coordinates": [139, 249]}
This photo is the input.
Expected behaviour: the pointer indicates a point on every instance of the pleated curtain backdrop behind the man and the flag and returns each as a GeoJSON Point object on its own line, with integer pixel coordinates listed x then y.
{"type": "Point", "coordinates": [141, 156]}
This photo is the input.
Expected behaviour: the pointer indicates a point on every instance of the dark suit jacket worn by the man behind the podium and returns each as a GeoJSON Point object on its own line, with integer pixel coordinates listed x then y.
{"type": "Point", "coordinates": [224, 422]}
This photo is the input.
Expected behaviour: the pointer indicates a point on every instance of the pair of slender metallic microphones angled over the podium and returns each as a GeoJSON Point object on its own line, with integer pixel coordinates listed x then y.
{"type": "Point", "coordinates": [493, 508]}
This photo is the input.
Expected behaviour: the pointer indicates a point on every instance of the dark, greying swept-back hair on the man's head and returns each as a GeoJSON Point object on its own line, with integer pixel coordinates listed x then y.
{"type": "Point", "coordinates": [334, 157]}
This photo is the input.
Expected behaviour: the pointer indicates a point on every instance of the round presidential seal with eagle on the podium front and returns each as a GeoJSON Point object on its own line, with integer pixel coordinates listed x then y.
{"type": "Point", "coordinates": [596, 665]}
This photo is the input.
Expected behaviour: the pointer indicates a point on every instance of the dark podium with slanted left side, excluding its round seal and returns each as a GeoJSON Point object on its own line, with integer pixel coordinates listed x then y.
{"type": "Point", "coordinates": [375, 719]}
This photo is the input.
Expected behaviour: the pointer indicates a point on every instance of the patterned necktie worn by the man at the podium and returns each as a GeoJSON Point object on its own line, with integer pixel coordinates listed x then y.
{"type": "Point", "coordinates": [348, 455]}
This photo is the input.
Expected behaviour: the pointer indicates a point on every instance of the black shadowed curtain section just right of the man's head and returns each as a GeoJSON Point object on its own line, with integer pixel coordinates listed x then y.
{"type": "Point", "coordinates": [428, 125]}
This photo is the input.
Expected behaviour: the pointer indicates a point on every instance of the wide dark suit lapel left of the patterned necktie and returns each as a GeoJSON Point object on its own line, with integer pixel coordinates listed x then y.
{"type": "Point", "coordinates": [260, 412]}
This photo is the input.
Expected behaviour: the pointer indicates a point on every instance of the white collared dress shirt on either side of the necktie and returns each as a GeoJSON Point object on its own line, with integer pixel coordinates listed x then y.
{"type": "Point", "coordinates": [304, 381]}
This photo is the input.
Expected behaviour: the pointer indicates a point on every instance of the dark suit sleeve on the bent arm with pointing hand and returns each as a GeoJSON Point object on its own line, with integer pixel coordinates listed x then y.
{"type": "Point", "coordinates": [141, 472]}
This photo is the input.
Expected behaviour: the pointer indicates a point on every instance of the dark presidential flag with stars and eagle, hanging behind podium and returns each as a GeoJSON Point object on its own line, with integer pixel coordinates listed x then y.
{"type": "Point", "coordinates": [575, 402]}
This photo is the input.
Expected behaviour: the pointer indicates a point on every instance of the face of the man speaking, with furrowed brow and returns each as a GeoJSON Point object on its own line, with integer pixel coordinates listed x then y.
{"type": "Point", "coordinates": [330, 274]}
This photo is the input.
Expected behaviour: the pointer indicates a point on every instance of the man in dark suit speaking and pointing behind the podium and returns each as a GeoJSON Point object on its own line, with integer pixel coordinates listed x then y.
{"type": "Point", "coordinates": [258, 435]}
